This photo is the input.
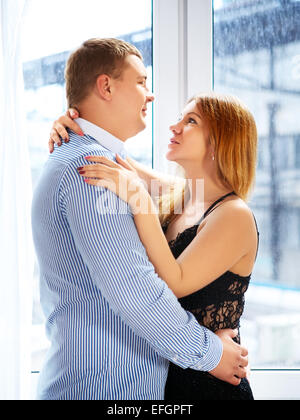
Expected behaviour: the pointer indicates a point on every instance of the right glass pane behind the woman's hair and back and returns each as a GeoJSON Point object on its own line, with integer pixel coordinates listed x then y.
{"type": "Point", "coordinates": [257, 58]}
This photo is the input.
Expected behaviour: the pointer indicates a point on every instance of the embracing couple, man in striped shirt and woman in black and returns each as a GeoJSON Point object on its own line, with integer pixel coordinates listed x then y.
{"type": "Point", "coordinates": [143, 303]}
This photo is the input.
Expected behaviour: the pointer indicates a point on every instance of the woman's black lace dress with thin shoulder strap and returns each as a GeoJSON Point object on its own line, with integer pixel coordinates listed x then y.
{"type": "Point", "coordinates": [217, 306]}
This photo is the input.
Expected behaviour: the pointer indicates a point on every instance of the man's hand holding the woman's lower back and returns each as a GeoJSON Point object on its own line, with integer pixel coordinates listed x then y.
{"type": "Point", "coordinates": [233, 365]}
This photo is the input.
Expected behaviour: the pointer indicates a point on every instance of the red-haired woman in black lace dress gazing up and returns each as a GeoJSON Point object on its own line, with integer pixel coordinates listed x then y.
{"type": "Point", "coordinates": [206, 257]}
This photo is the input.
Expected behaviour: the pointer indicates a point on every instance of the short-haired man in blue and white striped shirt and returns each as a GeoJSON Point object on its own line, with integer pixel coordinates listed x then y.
{"type": "Point", "coordinates": [112, 322]}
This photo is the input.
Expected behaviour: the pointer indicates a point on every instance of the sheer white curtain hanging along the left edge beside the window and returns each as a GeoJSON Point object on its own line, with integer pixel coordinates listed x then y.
{"type": "Point", "coordinates": [16, 251]}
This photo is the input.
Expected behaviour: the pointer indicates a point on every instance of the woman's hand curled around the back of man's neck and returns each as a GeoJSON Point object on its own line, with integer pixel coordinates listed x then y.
{"type": "Point", "coordinates": [59, 133]}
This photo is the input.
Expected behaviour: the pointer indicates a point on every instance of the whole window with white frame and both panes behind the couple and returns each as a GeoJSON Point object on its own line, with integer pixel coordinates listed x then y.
{"type": "Point", "coordinates": [247, 48]}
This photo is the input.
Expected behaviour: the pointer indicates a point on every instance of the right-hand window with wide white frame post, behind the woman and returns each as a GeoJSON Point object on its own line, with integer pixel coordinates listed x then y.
{"type": "Point", "coordinates": [204, 55]}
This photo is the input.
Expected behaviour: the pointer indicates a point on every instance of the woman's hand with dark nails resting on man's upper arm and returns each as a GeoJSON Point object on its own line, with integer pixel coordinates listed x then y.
{"type": "Point", "coordinates": [120, 178]}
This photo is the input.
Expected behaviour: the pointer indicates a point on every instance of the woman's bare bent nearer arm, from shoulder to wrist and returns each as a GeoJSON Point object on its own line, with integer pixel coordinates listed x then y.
{"type": "Point", "coordinates": [221, 243]}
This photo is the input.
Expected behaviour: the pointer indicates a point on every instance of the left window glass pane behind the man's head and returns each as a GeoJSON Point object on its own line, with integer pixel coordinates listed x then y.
{"type": "Point", "coordinates": [62, 25]}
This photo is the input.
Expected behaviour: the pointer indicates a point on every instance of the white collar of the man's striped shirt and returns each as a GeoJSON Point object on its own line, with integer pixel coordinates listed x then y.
{"type": "Point", "coordinates": [103, 137]}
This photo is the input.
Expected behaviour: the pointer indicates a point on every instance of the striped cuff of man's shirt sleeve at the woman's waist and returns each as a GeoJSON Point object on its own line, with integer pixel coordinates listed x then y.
{"type": "Point", "coordinates": [211, 359]}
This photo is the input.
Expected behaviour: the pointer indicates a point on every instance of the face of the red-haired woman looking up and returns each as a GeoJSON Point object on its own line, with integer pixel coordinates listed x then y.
{"type": "Point", "coordinates": [190, 141]}
